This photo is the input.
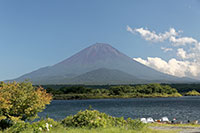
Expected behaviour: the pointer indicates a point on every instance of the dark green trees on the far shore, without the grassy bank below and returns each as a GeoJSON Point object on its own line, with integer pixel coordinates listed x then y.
{"type": "Point", "coordinates": [116, 90]}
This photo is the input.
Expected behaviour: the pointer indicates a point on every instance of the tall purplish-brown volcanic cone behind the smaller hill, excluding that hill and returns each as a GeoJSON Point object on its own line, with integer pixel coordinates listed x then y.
{"type": "Point", "coordinates": [92, 58]}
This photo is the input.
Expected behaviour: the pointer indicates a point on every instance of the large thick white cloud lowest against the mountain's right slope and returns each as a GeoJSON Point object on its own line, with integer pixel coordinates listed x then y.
{"type": "Point", "coordinates": [172, 67]}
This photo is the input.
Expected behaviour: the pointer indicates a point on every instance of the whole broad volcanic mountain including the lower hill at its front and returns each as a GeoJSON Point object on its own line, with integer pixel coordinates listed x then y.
{"type": "Point", "coordinates": [99, 63]}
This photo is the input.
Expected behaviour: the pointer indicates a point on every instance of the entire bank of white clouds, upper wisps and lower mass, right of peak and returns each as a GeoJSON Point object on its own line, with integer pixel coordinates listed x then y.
{"type": "Point", "coordinates": [187, 51]}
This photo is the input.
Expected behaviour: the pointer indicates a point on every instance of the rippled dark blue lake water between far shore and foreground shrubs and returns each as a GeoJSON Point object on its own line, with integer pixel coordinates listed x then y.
{"type": "Point", "coordinates": [183, 108]}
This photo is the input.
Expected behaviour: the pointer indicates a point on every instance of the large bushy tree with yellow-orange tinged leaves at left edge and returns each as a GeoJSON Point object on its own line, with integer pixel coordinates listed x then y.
{"type": "Point", "coordinates": [21, 101]}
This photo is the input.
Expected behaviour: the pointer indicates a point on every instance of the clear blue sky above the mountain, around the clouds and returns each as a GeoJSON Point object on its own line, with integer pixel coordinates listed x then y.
{"type": "Point", "coordinates": [38, 33]}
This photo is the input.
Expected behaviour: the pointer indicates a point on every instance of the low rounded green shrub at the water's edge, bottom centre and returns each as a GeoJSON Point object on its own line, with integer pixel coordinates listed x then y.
{"type": "Point", "coordinates": [96, 119]}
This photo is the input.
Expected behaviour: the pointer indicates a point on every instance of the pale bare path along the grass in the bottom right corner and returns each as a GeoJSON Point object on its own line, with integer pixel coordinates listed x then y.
{"type": "Point", "coordinates": [180, 129]}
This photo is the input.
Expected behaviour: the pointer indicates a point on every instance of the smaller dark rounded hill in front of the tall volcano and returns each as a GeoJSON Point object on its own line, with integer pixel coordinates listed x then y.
{"type": "Point", "coordinates": [105, 76]}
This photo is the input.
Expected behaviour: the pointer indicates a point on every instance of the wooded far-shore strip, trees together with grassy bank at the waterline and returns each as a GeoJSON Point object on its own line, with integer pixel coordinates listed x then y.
{"type": "Point", "coordinates": [125, 91]}
